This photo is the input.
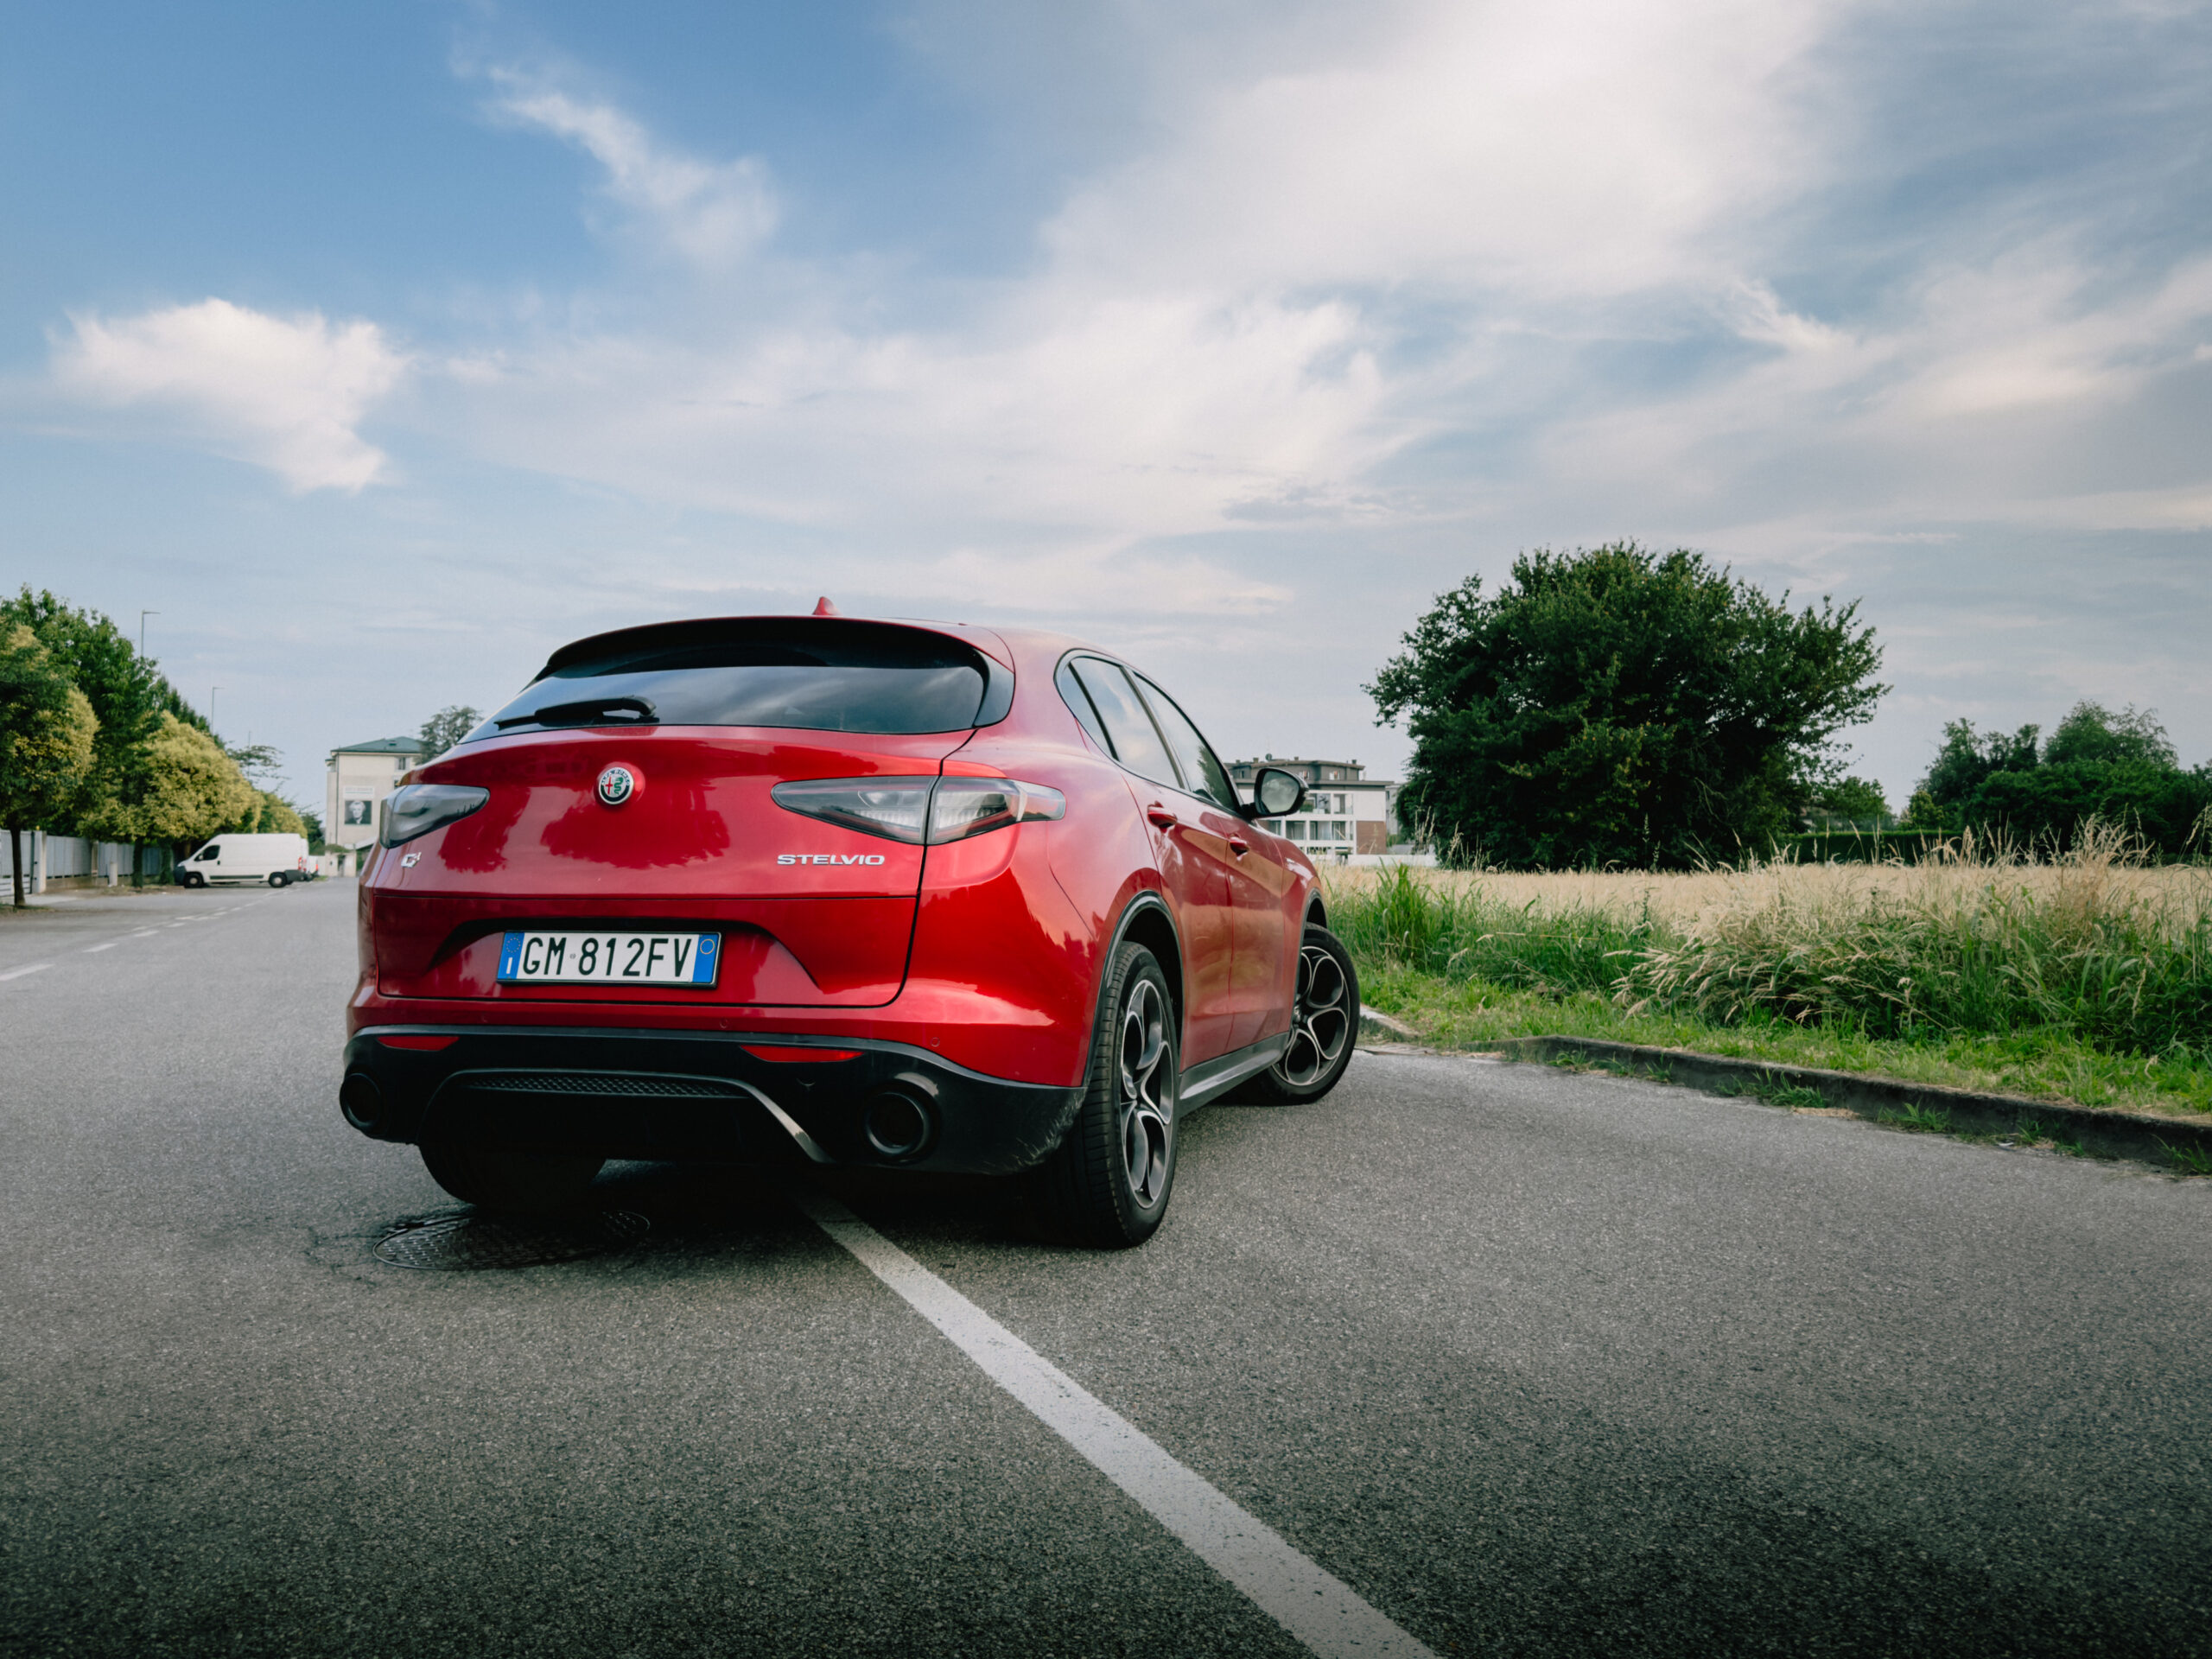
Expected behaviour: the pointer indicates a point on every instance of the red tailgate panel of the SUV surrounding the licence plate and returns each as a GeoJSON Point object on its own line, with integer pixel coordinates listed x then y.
{"type": "Point", "coordinates": [813, 915]}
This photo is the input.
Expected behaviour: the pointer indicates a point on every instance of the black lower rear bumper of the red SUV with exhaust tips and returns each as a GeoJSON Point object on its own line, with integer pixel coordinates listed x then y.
{"type": "Point", "coordinates": [696, 1096]}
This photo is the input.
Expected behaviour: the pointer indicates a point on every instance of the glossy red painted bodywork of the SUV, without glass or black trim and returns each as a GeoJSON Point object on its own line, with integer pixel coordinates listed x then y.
{"type": "Point", "coordinates": [983, 952]}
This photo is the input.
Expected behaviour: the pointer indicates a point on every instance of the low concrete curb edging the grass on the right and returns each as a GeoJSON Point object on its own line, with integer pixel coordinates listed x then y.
{"type": "Point", "coordinates": [2129, 1136]}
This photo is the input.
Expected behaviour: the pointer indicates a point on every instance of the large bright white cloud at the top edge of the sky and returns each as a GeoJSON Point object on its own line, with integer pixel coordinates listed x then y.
{"type": "Point", "coordinates": [1589, 147]}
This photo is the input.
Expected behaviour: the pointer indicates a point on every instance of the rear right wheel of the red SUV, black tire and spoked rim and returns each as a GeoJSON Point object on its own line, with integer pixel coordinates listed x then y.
{"type": "Point", "coordinates": [1112, 1180]}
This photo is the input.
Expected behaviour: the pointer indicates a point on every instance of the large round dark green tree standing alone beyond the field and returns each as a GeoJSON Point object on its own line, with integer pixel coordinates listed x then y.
{"type": "Point", "coordinates": [1623, 707]}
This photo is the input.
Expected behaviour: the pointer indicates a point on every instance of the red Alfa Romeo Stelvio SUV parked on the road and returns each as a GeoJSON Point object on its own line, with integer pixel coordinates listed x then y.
{"type": "Point", "coordinates": [881, 895]}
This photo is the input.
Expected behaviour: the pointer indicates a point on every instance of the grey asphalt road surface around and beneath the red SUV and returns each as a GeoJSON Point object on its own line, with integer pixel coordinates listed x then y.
{"type": "Point", "coordinates": [1538, 1364]}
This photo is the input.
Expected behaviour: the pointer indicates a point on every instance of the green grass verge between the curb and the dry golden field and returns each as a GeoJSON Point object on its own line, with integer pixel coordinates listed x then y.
{"type": "Point", "coordinates": [1985, 985]}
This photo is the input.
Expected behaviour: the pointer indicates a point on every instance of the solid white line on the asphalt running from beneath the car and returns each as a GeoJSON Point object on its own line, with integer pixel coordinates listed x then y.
{"type": "Point", "coordinates": [1319, 1609]}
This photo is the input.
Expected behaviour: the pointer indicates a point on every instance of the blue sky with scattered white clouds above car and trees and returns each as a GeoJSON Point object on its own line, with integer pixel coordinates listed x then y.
{"type": "Point", "coordinates": [379, 351]}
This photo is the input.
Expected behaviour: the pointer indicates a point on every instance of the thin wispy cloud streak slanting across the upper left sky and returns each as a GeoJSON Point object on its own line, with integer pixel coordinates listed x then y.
{"type": "Point", "coordinates": [711, 213]}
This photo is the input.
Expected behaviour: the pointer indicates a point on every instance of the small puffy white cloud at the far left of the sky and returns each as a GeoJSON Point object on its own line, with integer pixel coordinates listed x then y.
{"type": "Point", "coordinates": [280, 393]}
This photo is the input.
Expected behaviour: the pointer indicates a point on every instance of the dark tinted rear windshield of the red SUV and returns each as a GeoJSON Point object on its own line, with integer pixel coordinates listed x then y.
{"type": "Point", "coordinates": [817, 676]}
